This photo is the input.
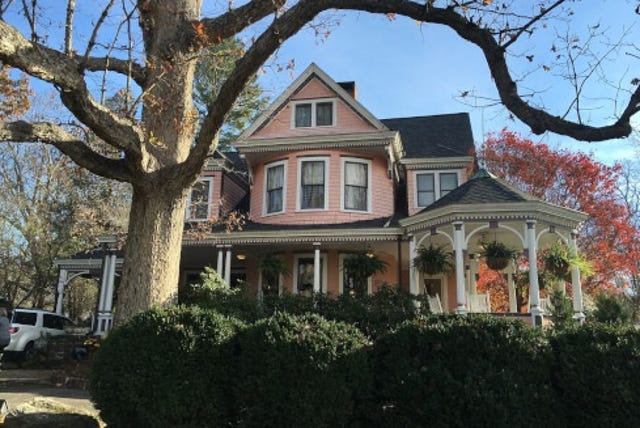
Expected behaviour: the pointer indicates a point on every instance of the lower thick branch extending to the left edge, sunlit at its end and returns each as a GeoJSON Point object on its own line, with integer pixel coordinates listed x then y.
{"type": "Point", "coordinates": [77, 150]}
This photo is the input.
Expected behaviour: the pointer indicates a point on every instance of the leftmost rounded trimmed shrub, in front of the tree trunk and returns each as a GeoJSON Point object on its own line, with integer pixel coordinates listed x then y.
{"type": "Point", "coordinates": [165, 368]}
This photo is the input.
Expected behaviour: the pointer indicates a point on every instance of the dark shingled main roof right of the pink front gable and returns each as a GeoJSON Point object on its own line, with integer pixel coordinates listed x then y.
{"type": "Point", "coordinates": [442, 135]}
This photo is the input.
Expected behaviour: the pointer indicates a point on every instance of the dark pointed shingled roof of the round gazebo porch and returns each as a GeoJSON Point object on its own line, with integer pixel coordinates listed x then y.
{"type": "Point", "coordinates": [482, 188]}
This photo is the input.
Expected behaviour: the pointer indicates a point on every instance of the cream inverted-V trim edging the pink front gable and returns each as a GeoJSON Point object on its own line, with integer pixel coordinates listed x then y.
{"type": "Point", "coordinates": [312, 71]}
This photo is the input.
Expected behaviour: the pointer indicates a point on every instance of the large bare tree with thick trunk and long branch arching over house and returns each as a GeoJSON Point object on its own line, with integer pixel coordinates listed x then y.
{"type": "Point", "coordinates": [161, 150]}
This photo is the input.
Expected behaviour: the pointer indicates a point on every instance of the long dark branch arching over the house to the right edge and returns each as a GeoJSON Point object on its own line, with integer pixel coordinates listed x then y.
{"type": "Point", "coordinates": [291, 21]}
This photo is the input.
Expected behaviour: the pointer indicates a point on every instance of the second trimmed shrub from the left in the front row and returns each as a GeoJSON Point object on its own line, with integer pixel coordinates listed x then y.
{"type": "Point", "coordinates": [299, 371]}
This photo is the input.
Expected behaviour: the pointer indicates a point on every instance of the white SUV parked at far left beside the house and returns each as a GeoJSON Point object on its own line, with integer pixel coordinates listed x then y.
{"type": "Point", "coordinates": [30, 326]}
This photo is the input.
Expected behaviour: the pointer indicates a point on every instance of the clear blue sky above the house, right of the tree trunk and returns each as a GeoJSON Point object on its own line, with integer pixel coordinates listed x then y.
{"type": "Point", "coordinates": [404, 69]}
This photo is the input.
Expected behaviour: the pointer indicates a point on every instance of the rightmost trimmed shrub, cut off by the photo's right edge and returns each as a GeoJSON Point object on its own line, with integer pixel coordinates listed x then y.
{"type": "Point", "coordinates": [596, 373]}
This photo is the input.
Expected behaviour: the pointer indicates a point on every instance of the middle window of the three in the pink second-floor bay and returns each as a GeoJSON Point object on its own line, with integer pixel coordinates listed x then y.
{"type": "Point", "coordinates": [312, 184]}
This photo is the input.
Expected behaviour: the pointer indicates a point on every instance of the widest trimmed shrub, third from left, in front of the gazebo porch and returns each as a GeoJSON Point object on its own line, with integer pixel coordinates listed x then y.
{"type": "Point", "coordinates": [452, 371]}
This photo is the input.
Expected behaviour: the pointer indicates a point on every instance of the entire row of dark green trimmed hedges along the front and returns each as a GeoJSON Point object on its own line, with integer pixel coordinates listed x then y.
{"type": "Point", "coordinates": [194, 367]}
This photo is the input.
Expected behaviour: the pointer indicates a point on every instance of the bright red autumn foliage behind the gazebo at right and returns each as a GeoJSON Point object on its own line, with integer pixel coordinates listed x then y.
{"type": "Point", "coordinates": [573, 180]}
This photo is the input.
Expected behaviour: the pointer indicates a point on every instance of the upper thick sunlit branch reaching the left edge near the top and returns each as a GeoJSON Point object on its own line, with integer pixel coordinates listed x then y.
{"type": "Point", "coordinates": [65, 73]}
